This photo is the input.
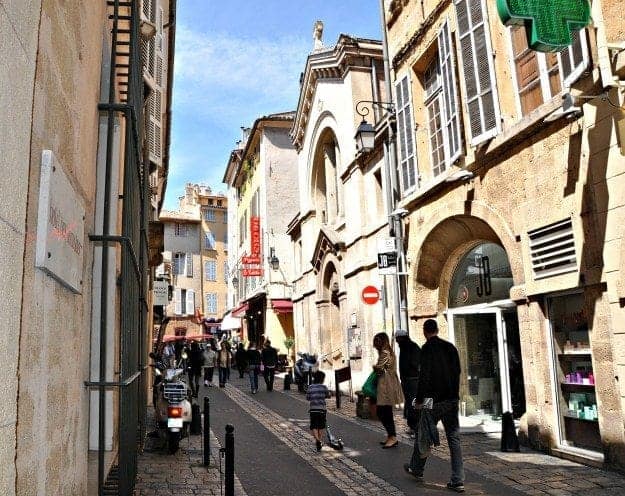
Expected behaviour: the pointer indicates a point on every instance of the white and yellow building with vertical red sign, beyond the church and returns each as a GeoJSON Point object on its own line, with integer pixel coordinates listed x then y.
{"type": "Point", "coordinates": [261, 176]}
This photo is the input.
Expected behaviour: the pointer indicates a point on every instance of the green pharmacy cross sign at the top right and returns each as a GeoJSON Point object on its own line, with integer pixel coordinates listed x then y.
{"type": "Point", "coordinates": [549, 23]}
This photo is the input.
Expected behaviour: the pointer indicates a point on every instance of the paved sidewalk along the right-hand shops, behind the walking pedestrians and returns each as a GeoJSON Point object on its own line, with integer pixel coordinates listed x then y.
{"type": "Point", "coordinates": [529, 471]}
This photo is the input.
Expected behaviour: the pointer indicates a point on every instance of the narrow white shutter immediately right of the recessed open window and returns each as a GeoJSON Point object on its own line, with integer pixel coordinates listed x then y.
{"type": "Point", "coordinates": [450, 94]}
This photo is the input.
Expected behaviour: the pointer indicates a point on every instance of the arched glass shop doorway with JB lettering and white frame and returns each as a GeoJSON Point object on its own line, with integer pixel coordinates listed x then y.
{"type": "Point", "coordinates": [484, 326]}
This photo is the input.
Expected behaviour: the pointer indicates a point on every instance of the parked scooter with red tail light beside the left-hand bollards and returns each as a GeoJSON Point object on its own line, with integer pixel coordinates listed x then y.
{"type": "Point", "coordinates": [172, 408]}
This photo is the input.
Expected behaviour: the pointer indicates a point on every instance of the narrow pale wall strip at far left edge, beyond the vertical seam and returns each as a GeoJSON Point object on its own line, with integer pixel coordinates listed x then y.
{"type": "Point", "coordinates": [18, 50]}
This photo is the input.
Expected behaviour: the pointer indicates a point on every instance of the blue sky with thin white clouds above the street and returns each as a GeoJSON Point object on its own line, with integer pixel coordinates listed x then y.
{"type": "Point", "coordinates": [238, 60]}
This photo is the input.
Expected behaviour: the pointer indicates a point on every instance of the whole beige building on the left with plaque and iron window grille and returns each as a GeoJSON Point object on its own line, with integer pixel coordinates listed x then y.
{"type": "Point", "coordinates": [62, 152]}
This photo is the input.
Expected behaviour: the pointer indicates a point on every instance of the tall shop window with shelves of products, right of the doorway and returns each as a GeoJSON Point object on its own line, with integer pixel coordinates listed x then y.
{"type": "Point", "coordinates": [574, 372]}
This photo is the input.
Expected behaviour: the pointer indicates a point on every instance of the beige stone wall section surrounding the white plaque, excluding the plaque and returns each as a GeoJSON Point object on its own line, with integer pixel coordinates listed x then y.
{"type": "Point", "coordinates": [53, 402]}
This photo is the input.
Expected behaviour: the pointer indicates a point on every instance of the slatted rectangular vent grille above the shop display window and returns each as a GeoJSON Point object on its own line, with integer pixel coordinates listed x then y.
{"type": "Point", "coordinates": [552, 249]}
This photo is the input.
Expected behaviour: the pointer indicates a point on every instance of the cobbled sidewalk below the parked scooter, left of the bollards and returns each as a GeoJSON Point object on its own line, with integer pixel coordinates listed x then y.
{"type": "Point", "coordinates": [162, 474]}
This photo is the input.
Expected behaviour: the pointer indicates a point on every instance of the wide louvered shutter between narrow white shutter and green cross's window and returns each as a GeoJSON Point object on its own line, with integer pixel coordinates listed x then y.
{"type": "Point", "coordinates": [478, 69]}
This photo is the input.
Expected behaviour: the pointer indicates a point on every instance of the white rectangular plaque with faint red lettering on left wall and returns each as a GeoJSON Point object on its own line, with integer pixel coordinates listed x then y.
{"type": "Point", "coordinates": [60, 225]}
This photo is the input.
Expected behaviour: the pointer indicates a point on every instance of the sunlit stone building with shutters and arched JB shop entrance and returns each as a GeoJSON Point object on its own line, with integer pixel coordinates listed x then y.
{"type": "Point", "coordinates": [516, 203]}
